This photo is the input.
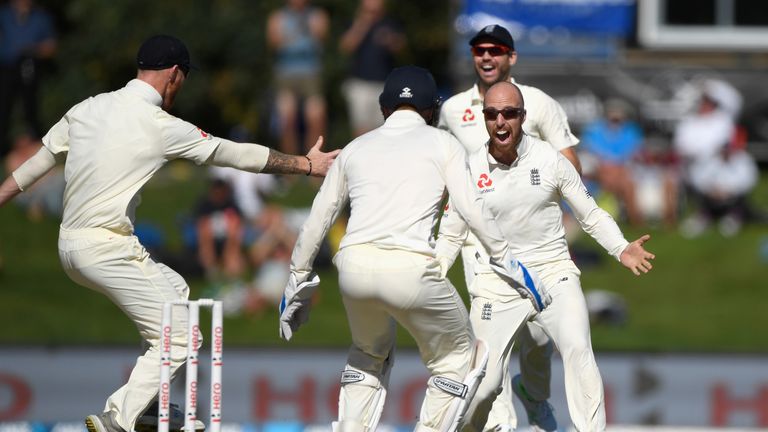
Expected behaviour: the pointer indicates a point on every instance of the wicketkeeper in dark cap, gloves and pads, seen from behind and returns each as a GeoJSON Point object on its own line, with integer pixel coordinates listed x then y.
{"type": "Point", "coordinates": [394, 179]}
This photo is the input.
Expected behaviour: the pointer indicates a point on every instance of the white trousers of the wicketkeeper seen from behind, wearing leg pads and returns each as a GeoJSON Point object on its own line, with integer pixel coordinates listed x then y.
{"type": "Point", "coordinates": [381, 287]}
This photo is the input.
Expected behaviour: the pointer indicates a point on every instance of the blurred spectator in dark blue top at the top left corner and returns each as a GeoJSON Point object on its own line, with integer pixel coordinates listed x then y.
{"type": "Point", "coordinates": [26, 37]}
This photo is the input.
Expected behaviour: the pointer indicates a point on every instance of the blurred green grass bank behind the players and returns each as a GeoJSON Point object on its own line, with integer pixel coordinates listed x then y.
{"type": "Point", "coordinates": [709, 294]}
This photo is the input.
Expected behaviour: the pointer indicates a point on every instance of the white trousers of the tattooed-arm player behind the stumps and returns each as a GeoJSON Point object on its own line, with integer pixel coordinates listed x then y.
{"type": "Point", "coordinates": [118, 266]}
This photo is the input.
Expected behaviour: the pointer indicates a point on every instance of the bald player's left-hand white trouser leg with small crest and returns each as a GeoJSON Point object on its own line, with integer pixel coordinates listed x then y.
{"type": "Point", "coordinates": [496, 319]}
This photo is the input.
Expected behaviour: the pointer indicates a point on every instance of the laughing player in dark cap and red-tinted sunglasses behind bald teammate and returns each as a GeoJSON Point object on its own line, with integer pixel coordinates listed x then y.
{"type": "Point", "coordinates": [493, 53]}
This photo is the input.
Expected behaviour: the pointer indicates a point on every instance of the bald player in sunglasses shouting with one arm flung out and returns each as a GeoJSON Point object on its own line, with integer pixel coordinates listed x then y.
{"type": "Point", "coordinates": [528, 179]}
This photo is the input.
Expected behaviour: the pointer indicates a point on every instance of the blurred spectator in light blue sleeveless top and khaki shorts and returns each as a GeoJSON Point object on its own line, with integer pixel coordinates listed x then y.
{"type": "Point", "coordinates": [296, 33]}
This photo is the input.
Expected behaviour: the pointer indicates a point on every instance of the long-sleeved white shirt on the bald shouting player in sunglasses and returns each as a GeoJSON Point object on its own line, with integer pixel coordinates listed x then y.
{"type": "Point", "coordinates": [524, 198]}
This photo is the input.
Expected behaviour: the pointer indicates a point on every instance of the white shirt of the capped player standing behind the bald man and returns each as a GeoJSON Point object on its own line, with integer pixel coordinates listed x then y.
{"type": "Point", "coordinates": [462, 115]}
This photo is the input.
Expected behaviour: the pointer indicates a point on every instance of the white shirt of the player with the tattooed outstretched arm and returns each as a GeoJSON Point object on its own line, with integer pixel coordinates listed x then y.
{"type": "Point", "coordinates": [114, 143]}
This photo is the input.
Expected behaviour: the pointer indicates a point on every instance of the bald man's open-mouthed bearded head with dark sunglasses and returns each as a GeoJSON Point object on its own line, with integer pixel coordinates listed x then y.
{"type": "Point", "coordinates": [504, 113]}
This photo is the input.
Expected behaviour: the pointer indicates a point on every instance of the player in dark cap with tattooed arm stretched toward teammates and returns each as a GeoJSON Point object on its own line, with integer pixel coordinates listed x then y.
{"type": "Point", "coordinates": [112, 144]}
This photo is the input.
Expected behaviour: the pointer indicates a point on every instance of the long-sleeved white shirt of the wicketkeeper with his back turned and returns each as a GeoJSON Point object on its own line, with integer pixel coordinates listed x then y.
{"type": "Point", "coordinates": [394, 178]}
